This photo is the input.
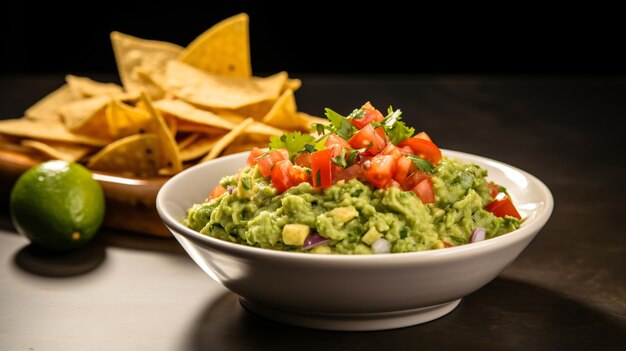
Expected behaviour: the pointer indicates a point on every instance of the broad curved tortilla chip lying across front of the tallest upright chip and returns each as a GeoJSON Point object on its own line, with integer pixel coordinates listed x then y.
{"type": "Point", "coordinates": [212, 91]}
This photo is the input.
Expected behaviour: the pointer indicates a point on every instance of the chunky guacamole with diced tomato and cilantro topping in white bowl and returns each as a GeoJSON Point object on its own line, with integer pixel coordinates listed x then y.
{"type": "Point", "coordinates": [369, 204]}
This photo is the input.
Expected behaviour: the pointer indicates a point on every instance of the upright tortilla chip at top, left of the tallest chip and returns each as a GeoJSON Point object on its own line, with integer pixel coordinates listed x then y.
{"type": "Point", "coordinates": [149, 55]}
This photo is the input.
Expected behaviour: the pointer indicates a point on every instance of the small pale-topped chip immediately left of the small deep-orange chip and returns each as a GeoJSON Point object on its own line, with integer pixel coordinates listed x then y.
{"type": "Point", "coordinates": [88, 117]}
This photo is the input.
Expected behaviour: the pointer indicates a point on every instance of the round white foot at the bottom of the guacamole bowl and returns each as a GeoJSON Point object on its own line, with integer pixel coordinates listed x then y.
{"type": "Point", "coordinates": [351, 321]}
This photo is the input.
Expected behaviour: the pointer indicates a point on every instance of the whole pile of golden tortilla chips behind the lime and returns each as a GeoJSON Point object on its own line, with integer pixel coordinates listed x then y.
{"type": "Point", "coordinates": [177, 107]}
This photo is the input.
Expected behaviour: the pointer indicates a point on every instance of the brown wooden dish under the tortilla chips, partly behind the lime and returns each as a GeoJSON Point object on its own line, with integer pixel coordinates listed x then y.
{"type": "Point", "coordinates": [130, 202]}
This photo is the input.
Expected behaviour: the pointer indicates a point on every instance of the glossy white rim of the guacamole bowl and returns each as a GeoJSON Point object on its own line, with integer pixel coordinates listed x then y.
{"type": "Point", "coordinates": [529, 228]}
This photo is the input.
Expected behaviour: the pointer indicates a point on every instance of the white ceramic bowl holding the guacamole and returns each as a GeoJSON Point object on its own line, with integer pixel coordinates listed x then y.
{"type": "Point", "coordinates": [352, 292]}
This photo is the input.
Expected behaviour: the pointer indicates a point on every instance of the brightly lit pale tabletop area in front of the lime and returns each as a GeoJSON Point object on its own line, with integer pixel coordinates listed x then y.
{"type": "Point", "coordinates": [135, 300]}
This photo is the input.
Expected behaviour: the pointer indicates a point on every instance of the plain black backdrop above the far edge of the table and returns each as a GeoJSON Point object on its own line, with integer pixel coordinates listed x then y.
{"type": "Point", "coordinates": [317, 37]}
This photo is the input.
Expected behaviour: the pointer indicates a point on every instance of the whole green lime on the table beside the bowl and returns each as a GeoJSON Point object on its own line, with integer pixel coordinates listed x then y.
{"type": "Point", "coordinates": [57, 205]}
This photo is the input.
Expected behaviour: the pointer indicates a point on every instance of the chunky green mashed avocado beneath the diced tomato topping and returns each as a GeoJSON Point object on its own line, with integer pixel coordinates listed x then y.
{"type": "Point", "coordinates": [351, 217]}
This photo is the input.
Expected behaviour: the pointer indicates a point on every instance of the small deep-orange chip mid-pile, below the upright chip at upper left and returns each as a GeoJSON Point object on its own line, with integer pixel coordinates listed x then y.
{"type": "Point", "coordinates": [124, 120]}
